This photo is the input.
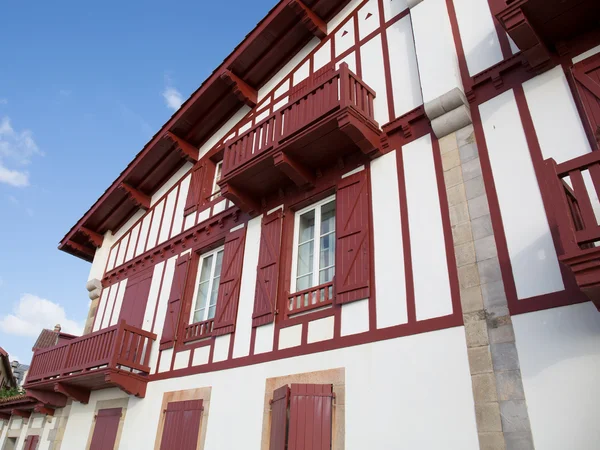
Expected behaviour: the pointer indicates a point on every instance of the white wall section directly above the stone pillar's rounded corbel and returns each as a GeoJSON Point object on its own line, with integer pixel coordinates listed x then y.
{"type": "Point", "coordinates": [438, 63]}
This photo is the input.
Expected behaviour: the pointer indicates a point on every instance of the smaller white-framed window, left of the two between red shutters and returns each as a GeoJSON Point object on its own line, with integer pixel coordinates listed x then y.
{"type": "Point", "coordinates": [207, 288]}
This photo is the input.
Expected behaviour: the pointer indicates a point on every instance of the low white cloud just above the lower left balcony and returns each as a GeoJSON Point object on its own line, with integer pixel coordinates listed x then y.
{"type": "Point", "coordinates": [33, 313]}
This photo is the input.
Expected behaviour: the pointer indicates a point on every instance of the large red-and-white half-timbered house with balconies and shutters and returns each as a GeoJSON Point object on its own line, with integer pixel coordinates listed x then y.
{"type": "Point", "coordinates": [373, 226]}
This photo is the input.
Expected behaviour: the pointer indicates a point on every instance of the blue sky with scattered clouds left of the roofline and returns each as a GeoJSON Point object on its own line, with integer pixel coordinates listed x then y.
{"type": "Point", "coordinates": [83, 86]}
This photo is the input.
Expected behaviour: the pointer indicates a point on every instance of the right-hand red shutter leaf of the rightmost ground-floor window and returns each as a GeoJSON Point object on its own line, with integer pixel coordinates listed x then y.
{"type": "Point", "coordinates": [310, 417]}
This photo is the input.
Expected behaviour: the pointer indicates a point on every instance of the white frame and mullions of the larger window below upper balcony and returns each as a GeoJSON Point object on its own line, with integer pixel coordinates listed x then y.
{"type": "Point", "coordinates": [317, 241]}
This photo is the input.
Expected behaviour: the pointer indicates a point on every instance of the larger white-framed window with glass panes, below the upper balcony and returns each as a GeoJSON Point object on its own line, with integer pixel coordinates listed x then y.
{"type": "Point", "coordinates": [313, 260]}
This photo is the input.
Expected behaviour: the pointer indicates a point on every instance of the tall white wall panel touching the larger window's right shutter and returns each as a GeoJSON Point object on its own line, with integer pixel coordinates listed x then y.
{"type": "Point", "coordinates": [390, 281]}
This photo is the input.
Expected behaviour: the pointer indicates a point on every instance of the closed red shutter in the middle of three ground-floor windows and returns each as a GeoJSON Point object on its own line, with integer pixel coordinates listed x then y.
{"type": "Point", "coordinates": [182, 425]}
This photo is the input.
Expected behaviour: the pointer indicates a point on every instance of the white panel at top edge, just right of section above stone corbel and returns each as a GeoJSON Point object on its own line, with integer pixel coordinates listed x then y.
{"type": "Point", "coordinates": [478, 33]}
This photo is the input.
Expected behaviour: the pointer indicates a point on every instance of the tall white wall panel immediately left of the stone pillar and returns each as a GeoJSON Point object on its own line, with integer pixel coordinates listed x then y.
{"type": "Point", "coordinates": [427, 244]}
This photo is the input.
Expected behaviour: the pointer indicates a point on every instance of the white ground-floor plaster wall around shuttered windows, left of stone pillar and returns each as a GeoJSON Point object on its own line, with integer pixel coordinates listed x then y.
{"type": "Point", "coordinates": [391, 402]}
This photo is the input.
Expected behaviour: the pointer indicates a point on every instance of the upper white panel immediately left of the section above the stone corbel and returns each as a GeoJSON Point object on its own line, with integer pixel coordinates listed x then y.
{"type": "Point", "coordinates": [403, 66]}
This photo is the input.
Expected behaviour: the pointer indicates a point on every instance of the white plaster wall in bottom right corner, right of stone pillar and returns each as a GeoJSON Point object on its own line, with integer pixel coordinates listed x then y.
{"type": "Point", "coordinates": [559, 352]}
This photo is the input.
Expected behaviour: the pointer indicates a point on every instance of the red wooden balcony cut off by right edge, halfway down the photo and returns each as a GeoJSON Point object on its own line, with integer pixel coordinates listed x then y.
{"type": "Point", "coordinates": [574, 187]}
